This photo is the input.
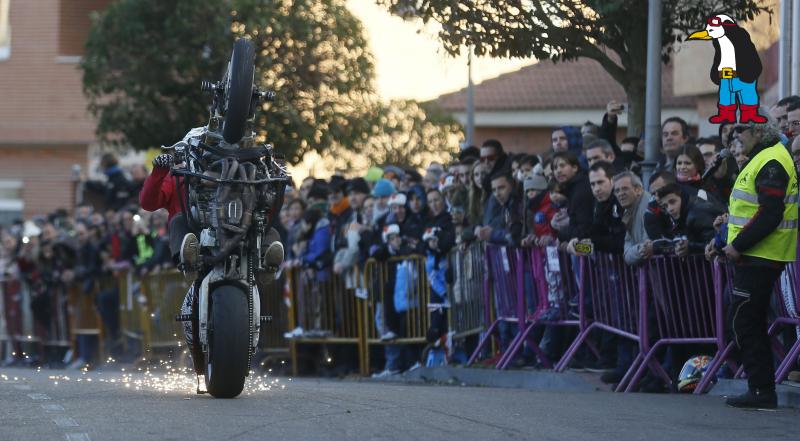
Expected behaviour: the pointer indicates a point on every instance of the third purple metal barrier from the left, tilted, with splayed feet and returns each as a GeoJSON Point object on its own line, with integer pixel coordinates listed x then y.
{"type": "Point", "coordinates": [615, 291]}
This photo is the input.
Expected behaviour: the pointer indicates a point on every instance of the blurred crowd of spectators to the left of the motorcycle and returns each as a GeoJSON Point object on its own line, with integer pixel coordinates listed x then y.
{"type": "Point", "coordinates": [47, 259]}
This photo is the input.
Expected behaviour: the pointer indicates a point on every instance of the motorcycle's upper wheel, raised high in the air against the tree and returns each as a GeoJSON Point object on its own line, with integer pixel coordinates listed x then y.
{"type": "Point", "coordinates": [239, 91]}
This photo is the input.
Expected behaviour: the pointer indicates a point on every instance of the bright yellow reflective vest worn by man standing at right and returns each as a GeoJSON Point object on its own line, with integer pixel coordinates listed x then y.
{"type": "Point", "coordinates": [781, 244]}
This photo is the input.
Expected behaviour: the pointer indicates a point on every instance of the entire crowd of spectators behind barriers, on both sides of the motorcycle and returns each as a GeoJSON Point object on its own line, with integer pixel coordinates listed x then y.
{"type": "Point", "coordinates": [584, 190]}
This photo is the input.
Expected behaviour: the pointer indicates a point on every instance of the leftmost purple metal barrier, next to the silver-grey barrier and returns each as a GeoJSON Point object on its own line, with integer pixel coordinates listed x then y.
{"type": "Point", "coordinates": [504, 279]}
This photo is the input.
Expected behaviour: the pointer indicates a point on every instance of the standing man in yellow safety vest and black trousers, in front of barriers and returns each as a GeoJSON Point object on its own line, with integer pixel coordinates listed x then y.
{"type": "Point", "coordinates": [762, 238]}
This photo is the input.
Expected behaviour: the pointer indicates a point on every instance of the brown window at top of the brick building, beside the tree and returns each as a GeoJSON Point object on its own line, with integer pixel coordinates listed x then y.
{"type": "Point", "coordinates": [73, 25]}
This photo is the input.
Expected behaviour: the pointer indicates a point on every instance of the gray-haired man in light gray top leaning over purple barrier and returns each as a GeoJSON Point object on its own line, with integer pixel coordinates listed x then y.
{"type": "Point", "coordinates": [633, 199]}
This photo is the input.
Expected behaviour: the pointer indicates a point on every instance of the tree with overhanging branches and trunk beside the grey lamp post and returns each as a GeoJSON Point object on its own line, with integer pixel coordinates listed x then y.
{"type": "Point", "coordinates": [612, 32]}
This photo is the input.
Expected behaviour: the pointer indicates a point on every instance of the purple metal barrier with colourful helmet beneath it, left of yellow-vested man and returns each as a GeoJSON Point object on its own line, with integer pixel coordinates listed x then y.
{"type": "Point", "coordinates": [682, 307]}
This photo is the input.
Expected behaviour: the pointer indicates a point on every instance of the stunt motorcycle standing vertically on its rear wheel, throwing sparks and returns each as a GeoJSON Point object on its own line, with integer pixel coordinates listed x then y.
{"type": "Point", "coordinates": [232, 195]}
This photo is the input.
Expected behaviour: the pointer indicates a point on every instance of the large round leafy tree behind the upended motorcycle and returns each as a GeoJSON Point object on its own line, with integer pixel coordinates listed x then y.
{"type": "Point", "coordinates": [145, 59]}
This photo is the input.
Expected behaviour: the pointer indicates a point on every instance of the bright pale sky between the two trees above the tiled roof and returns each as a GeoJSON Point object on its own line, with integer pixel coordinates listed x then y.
{"type": "Point", "coordinates": [412, 64]}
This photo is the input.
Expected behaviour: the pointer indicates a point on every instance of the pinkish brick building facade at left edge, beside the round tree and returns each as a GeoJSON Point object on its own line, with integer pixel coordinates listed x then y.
{"type": "Point", "coordinates": [45, 128]}
